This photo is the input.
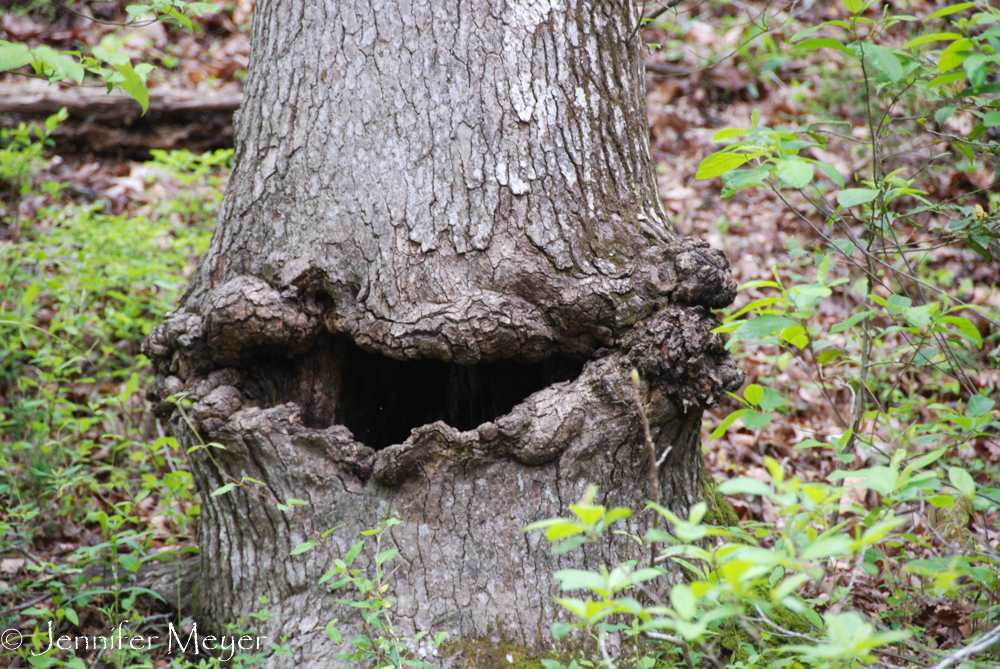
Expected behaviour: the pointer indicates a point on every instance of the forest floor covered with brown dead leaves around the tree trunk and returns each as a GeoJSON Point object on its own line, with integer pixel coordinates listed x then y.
{"type": "Point", "coordinates": [718, 75]}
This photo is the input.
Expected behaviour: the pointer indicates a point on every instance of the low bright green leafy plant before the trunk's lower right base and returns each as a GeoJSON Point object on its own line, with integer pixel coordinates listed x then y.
{"type": "Point", "coordinates": [733, 583]}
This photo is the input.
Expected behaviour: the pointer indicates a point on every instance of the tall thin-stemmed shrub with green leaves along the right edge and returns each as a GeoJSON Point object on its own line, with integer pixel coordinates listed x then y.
{"type": "Point", "coordinates": [875, 242]}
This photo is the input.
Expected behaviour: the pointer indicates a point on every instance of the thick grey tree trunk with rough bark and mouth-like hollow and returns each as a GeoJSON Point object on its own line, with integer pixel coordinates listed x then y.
{"type": "Point", "coordinates": [440, 255]}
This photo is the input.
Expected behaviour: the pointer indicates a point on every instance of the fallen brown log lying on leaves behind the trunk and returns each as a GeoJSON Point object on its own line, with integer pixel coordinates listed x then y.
{"type": "Point", "coordinates": [112, 123]}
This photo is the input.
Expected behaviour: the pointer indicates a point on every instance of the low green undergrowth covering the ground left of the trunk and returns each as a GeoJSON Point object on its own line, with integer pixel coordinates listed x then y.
{"type": "Point", "coordinates": [90, 487]}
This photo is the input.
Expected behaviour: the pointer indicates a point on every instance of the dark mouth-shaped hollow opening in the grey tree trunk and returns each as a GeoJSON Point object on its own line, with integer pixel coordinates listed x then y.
{"type": "Point", "coordinates": [381, 399]}
